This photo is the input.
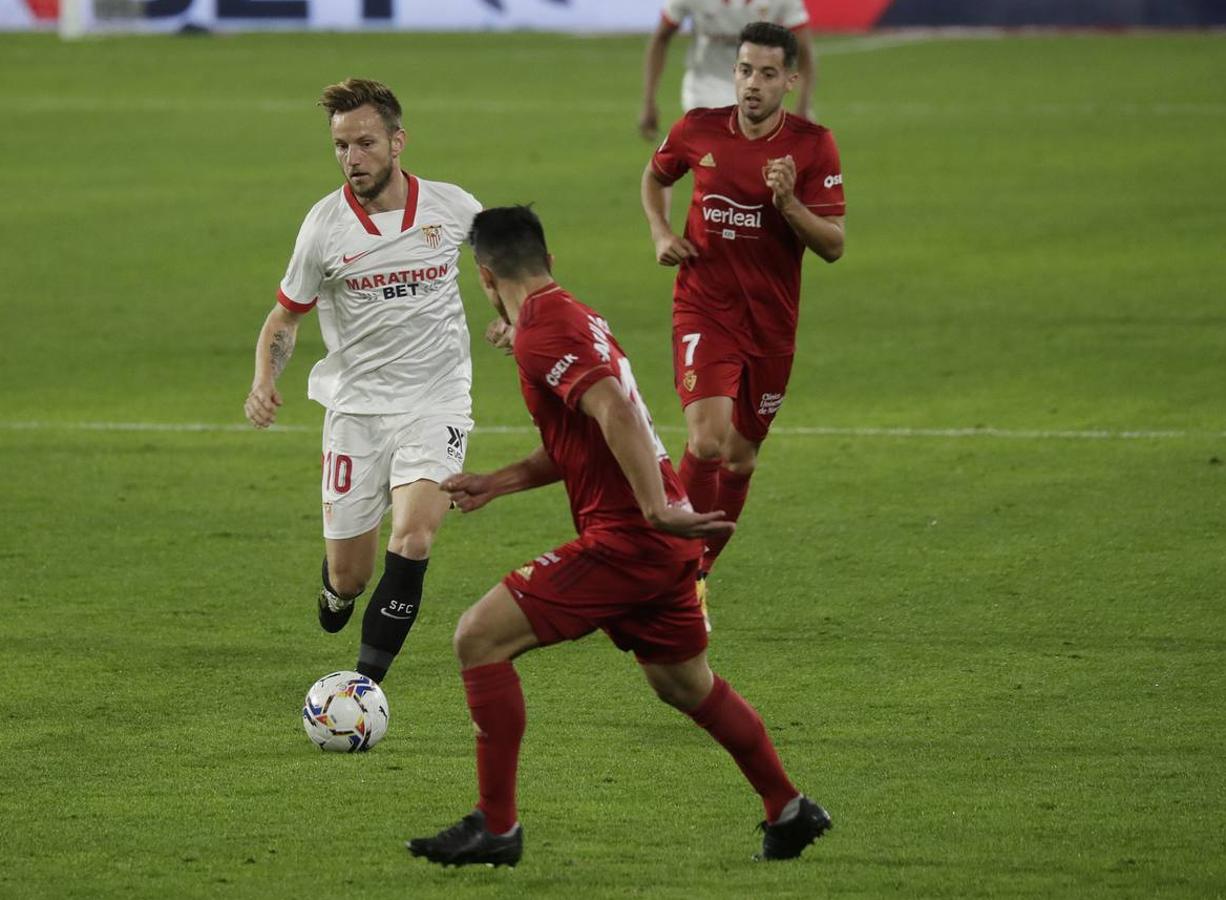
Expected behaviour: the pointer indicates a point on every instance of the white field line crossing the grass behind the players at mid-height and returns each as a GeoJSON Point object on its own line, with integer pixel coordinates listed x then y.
{"type": "Point", "coordinates": [782, 431]}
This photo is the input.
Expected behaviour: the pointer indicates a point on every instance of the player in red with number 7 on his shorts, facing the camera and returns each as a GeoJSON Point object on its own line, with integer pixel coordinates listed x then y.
{"type": "Point", "coordinates": [767, 187]}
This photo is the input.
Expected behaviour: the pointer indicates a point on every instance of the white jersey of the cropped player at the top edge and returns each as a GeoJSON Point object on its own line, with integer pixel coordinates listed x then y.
{"type": "Point", "coordinates": [713, 53]}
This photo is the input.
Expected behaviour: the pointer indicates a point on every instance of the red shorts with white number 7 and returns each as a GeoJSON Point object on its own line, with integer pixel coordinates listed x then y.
{"type": "Point", "coordinates": [709, 362]}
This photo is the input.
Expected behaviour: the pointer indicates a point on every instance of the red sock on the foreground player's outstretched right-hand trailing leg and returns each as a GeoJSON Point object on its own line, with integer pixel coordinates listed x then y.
{"type": "Point", "coordinates": [740, 730]}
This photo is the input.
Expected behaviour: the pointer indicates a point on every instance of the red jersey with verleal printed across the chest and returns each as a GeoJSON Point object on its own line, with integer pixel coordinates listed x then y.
{"type": "Point", "coordinates": [748, 267]}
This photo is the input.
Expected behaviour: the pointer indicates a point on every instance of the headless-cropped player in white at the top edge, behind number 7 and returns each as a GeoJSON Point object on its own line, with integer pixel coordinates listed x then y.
{"type": "Point", "coordinates": [713, 55]}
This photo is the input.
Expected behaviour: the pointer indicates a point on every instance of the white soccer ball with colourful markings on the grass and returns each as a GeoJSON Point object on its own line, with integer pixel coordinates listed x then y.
{"type": "Point", "coordinates": [345, 713]}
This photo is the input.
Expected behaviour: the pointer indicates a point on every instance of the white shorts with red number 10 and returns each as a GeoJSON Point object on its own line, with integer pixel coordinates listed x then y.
{"type": "Point", "coordinates": [366, 457]}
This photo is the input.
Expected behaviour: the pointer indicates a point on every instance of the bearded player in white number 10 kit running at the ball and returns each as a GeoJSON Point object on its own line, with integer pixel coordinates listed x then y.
{"type": "Point", "coordinates": [378, 261]}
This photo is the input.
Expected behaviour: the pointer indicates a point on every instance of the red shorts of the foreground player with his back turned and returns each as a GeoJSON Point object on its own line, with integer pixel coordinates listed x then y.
{"type": "Point", "coordinates": [649, 609]}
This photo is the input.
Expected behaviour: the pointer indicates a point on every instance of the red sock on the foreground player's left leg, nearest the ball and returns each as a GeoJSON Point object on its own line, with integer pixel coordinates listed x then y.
{"type": "Point", "coordinates": [497, 706]}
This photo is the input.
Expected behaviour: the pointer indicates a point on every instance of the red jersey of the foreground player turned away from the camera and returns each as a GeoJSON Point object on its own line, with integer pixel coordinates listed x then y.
{"type": "Point", "coordinates": [565, 348]}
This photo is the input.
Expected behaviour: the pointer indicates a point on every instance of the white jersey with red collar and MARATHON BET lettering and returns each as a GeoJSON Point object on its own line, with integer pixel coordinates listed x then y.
{"type": "Point", "coordinates": [389, 305]}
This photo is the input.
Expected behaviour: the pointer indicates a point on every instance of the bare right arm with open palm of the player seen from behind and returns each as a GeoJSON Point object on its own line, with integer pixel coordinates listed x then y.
{"type": "Point", "coordinates": [630, 437]}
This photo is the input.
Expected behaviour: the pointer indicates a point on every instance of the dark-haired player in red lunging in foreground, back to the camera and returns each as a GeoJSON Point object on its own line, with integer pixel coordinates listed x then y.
{"type": "Point", "coordinates": [630, 573]}
